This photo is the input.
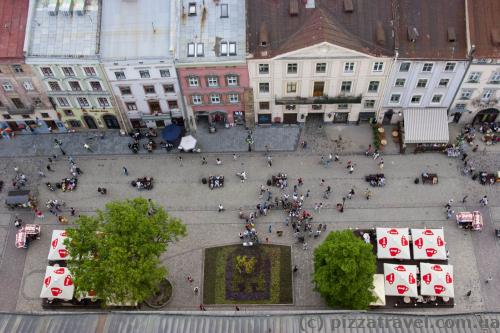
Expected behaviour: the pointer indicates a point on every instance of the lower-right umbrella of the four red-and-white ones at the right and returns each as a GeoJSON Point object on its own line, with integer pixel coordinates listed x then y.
{"type": "Point", "coordinates": [436, 280]}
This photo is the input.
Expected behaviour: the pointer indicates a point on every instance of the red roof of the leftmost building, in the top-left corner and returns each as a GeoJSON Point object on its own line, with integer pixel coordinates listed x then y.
{"type": "Point", "coordinates": [13, 16]}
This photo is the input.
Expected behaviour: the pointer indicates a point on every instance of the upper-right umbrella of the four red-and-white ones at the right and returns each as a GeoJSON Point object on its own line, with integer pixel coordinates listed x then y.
{"type": "Point", "coordinates": [428, 244]}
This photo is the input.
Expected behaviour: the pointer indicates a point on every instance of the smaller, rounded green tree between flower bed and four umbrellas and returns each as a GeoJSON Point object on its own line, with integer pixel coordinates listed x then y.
{"type": "Point", "coordinates": [344, 266]}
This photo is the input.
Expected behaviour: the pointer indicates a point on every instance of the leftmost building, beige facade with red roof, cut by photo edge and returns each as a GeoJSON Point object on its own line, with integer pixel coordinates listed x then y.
{"type": "Point", "coordinates": [24, 106]}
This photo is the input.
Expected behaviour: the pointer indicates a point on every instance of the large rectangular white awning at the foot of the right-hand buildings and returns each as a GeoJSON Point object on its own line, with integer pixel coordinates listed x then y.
{"type": "Point", "coordinates": [426, 125]}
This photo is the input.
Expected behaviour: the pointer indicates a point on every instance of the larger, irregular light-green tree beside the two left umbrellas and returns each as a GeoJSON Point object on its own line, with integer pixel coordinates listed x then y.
{"type": "Point", "coordinates": [116, 253]}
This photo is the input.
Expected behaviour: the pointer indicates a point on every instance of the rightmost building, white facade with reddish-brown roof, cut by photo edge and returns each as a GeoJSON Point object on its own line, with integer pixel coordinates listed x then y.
{"type": "Point", "coordinates": [478, 97]}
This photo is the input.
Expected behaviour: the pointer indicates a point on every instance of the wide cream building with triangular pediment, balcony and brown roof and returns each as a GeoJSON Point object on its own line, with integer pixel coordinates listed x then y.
{"type": "Point", "coordinates": [323, 60]}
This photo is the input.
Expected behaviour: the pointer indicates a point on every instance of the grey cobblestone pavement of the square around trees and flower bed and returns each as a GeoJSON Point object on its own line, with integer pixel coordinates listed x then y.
{"type": "Point", "coordinates": [179, 189]}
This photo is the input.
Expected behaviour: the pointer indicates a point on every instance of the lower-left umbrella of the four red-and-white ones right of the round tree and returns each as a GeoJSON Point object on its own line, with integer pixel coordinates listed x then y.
{"type": "Point", "coordinates": [400, 280]}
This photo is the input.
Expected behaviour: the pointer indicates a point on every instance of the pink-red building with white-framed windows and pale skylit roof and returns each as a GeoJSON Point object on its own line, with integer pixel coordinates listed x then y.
{"type": "Point", "coordinates": [211, 65]}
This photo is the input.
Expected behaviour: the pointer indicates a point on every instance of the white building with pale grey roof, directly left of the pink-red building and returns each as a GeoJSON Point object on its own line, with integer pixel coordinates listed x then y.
{"type": "Point", "coordinates": [137, 49]}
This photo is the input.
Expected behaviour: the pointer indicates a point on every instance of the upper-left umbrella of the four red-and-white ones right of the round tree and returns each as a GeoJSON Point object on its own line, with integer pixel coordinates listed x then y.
{"type": "Point", "coordinates": [393, 243]}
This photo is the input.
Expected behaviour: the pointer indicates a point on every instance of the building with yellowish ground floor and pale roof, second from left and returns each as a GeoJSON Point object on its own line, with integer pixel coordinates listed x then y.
{"type": "Point", "coordinates": [62, 48]}
